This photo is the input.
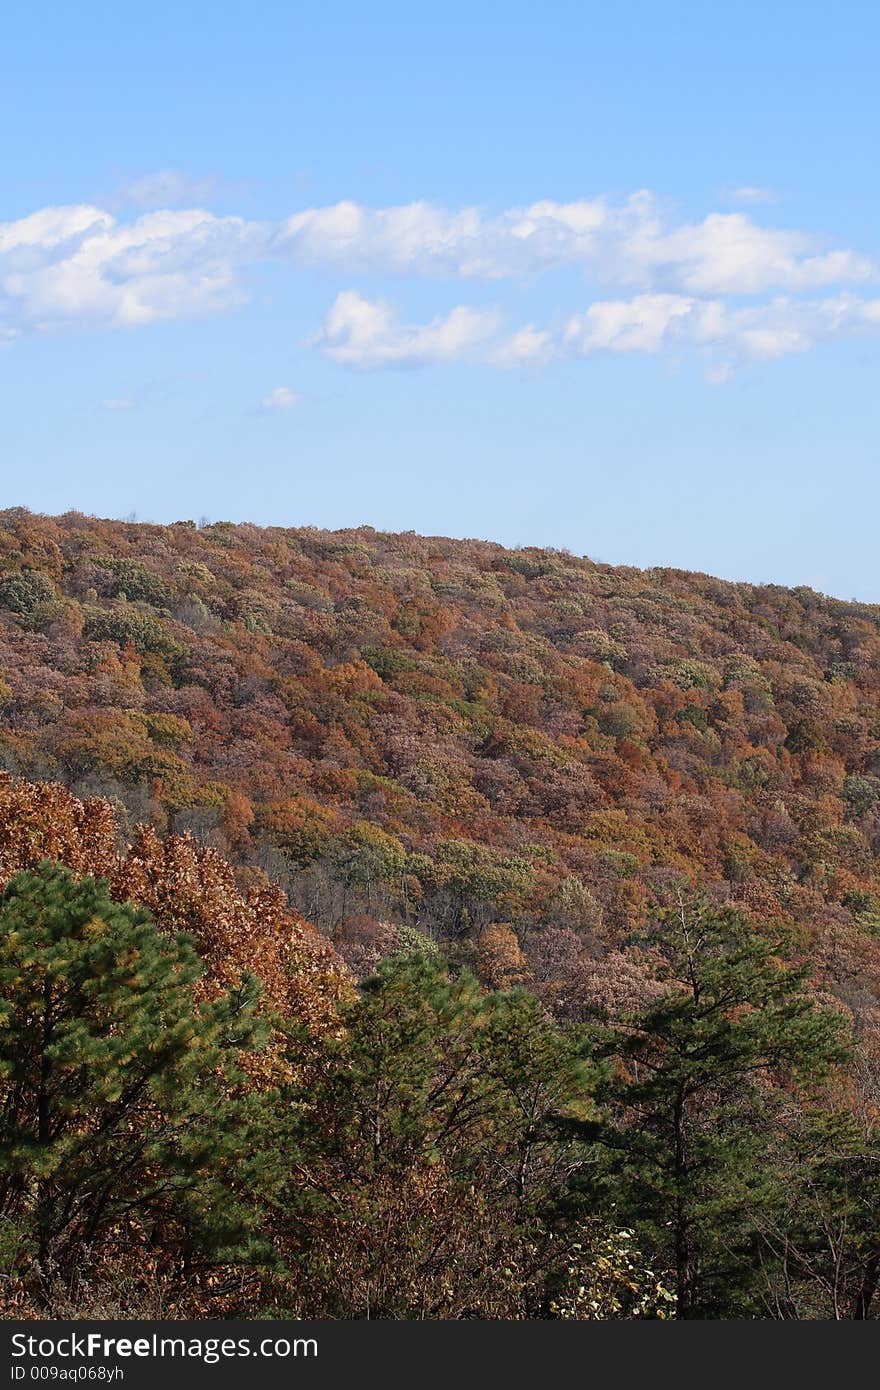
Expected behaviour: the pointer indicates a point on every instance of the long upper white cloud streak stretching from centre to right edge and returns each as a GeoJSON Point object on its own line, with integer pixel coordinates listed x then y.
{"type": "Point", "coordinates": [630, 244]}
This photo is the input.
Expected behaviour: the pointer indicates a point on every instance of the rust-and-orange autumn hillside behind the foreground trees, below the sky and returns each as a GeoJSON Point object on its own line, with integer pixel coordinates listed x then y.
{"type": "Point", "coordinates": [457, 736]}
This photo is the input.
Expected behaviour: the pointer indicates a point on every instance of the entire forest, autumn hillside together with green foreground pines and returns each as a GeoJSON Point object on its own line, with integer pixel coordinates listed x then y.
{"type": "Point", "coordinates": [411, 928]}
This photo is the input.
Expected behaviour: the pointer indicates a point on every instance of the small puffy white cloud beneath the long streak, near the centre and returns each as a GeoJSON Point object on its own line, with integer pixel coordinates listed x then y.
{"type": "Point", "coordinates": [362, 333]}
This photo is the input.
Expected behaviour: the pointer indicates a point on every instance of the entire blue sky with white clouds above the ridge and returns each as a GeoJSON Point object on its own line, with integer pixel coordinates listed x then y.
{"type": "Point", "coordinates": [593, 276]}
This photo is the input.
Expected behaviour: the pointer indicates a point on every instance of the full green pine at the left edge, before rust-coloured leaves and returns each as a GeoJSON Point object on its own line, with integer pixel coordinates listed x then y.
{"type": "Point", "coordinates": [117, 1088]}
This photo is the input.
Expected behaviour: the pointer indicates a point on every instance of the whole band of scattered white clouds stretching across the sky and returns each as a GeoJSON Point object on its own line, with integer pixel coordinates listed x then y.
{"type": "Point", "coordinates": [725, 287]}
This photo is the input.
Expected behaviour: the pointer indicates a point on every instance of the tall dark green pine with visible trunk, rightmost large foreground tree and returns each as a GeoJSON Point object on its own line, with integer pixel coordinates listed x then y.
{"type": "Point", "coordinates": [694, 1095]}
